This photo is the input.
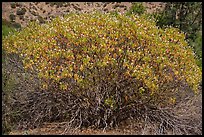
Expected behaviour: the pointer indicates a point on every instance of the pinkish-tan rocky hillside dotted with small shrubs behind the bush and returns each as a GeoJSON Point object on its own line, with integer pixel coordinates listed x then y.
{"type": "Point", "coordinates": [23, 12]}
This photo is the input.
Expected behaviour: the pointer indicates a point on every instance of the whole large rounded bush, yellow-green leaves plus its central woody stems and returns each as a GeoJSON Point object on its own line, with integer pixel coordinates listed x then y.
{"type": "Point", "coordinates": [113, 66]}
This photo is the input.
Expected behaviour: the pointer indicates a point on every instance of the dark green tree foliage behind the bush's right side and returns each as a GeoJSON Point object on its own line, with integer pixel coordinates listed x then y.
{"type": "Point", "coordinates": [187, 16]}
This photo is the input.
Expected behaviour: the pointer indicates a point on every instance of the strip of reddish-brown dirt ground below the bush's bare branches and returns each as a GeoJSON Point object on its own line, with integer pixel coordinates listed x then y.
{"type": "Point", "coordinates": [133, 128]}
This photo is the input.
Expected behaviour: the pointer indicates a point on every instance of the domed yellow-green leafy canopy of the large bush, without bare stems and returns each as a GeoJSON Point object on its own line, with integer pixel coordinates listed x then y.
{"type": "Point", "coordinates": [83, 49]}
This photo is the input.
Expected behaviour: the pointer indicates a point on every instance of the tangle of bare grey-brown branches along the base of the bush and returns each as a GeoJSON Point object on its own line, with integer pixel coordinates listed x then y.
{"type": "Point", "coordinates": [78, 112]}
